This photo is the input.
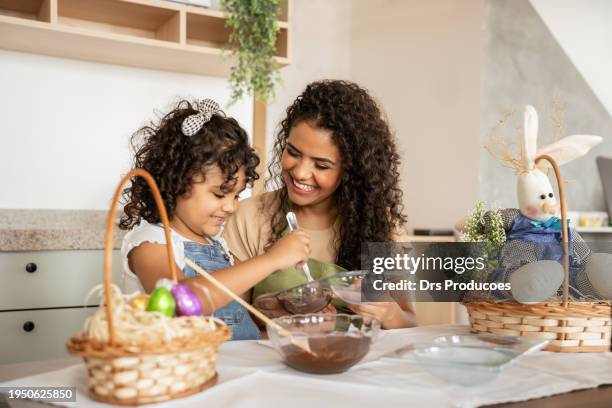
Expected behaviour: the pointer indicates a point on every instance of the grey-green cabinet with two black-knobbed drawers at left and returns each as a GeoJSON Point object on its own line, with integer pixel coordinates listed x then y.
{"type": "Point", "coordinates": [42, 299]}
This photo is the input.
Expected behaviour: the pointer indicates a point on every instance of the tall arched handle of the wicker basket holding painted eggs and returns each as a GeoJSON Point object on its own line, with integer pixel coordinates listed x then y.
{"type": "Point", "coordinates": [108, 240]}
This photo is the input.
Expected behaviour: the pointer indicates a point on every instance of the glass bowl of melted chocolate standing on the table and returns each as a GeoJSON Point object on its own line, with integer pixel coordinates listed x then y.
{"type": "Point", "coordinates": [337, 341]}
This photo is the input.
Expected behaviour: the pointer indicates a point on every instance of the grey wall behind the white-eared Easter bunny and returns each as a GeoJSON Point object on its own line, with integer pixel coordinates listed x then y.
{"type": "Point", "coordinates": [525, 62]}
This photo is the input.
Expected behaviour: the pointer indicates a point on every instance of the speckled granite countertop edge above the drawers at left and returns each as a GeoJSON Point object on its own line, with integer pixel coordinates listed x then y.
{"type": "Point", "coordinates": [42, 230]}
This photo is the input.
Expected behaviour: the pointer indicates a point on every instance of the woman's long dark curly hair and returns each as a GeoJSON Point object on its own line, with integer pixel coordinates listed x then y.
{"type": "Point", "coordinates": [368, 199]}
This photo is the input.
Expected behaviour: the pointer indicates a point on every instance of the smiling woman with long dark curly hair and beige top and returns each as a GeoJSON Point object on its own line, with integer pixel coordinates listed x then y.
{"type": "Point", "coordinates": [336, 166]}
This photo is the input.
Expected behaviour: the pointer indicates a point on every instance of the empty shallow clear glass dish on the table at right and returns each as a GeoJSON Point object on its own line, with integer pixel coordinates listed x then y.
{"type": "Point", "coordinates": [472, 359]}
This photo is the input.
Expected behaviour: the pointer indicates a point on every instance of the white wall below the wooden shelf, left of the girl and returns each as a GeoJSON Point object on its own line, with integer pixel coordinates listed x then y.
{"type": "Point", "coordinates": [65, 125]}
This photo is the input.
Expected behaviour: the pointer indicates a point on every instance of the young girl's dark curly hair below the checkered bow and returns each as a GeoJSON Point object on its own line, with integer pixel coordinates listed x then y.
{"type": "Point", "coordinates": [174, 159]}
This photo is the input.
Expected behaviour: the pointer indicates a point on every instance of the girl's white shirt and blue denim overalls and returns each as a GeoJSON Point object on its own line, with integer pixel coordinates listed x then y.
{"type": "Point", "coordinates": [211, 257]}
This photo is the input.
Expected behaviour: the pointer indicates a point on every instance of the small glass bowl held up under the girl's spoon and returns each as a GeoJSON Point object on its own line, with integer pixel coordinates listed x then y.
{"type": "Point", "coordinates": [310, 297]}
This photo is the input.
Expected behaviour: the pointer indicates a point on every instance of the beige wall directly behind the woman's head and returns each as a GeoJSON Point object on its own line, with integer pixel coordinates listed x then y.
{"type": "Point", "coordinates": [421, 60]}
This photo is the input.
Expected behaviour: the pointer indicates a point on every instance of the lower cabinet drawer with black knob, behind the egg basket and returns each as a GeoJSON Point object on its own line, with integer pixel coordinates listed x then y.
{"type": "Point", "coordinates": [49, 330]}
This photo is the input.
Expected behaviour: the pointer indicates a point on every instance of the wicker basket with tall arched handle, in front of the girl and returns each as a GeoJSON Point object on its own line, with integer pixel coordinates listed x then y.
{"type": "Point", "coordinates": [137, 366]}
